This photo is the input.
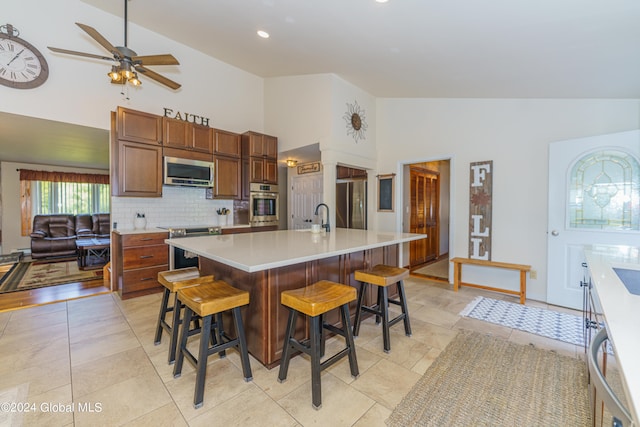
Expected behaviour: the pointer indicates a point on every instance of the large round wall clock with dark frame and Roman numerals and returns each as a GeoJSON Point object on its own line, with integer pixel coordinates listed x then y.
{"type": "Point", "coordinates": [22, 66]}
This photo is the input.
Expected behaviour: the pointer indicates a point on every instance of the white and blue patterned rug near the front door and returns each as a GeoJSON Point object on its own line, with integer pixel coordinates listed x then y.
{"type": "Point", "coordinates": [547, 323]}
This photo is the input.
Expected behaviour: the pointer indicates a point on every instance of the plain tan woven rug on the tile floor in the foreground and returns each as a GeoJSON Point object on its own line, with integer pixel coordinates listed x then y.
{"type": "Point", "coordinates": [481, 380]}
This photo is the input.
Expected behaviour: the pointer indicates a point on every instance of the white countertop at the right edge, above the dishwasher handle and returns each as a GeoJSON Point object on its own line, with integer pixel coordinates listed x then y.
{"type": "Point", "coordinates": [621, 311]}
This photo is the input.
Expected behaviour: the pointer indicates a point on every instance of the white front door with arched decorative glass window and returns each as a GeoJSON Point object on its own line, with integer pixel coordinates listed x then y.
{"type": "Point", "coordinates": [593, 199]}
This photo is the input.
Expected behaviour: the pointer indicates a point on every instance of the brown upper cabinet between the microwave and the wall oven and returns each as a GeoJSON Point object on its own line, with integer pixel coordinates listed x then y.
{"type": "Point", "coordinates": [227, 166]}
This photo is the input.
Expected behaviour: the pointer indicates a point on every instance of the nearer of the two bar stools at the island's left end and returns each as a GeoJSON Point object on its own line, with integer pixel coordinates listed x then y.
{"type": "Point", "coordinates": [206, 300]}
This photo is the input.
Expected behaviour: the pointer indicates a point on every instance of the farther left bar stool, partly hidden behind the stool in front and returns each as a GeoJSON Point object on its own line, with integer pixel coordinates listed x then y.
{"type": "Point", "coordinates": [173, 280]}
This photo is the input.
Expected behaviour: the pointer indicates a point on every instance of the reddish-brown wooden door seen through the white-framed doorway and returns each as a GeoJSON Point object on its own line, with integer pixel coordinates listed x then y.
{"type": "Point", "coordinates": [424, 219]}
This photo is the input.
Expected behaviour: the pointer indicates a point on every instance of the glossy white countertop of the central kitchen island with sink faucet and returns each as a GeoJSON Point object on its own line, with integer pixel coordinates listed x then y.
{"type": "Point", "coordinates": [253, 252]}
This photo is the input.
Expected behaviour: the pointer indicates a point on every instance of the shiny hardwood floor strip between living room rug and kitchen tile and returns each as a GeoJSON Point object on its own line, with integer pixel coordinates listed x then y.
{"type": "Point", "coordinates": [32, 297]}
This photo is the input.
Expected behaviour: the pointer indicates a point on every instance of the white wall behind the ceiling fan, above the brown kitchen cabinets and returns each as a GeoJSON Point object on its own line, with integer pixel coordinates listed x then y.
{"type": "Point", "coordinates": [78, 90]}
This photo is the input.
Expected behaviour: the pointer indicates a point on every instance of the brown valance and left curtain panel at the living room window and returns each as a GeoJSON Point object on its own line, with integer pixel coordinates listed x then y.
{"type": "Point", "coordinates": [27, 175]}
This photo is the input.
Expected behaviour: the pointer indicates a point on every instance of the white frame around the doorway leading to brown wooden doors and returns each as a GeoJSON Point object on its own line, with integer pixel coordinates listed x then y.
{"type": "Point", "coordinates": [401, 190]}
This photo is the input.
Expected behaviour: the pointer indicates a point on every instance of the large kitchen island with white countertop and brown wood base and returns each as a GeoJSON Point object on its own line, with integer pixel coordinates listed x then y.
{"type": "Point", "coordinates": [267, 263]}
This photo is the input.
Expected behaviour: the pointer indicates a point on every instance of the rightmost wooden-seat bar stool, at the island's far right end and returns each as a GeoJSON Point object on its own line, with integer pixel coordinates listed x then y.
{"type": "Point", "coordinates": [382, 276]}
